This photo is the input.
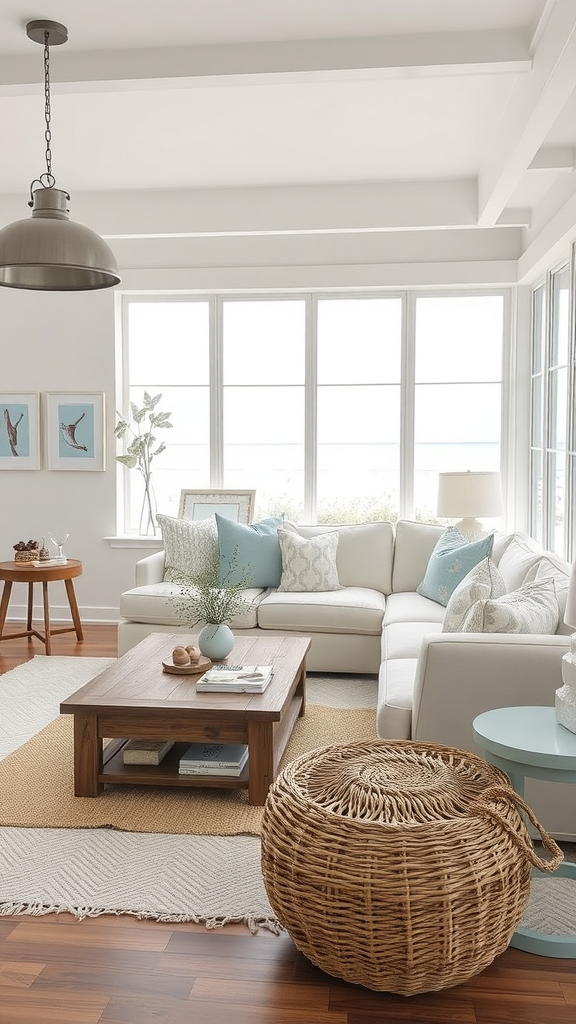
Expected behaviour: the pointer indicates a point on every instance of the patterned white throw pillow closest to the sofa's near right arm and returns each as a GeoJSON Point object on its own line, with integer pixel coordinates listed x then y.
{"type": "Point", "coordinates": [531, 609]}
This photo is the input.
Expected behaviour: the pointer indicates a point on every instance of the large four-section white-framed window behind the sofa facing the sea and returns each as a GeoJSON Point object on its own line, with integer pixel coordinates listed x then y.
{"type": "Point", "coordinates": [335, 408]}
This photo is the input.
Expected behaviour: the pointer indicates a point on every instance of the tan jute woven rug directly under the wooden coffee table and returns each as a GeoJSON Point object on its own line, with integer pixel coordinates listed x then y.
{"type": "Point", "coordinates": [37, 785]}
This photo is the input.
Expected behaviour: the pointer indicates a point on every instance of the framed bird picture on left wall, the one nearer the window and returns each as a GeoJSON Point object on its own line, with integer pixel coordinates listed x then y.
{"type": "Point", "coordinates": [75, 431]}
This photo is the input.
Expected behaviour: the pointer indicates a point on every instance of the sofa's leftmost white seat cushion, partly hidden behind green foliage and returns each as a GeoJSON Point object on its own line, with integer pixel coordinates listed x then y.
{"type": "Point", "coordinates": [158, 604]}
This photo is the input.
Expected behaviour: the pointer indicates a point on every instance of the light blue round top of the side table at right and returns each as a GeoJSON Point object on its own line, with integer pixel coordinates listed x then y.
{"type": "Point", "coordinates": [529, 736]}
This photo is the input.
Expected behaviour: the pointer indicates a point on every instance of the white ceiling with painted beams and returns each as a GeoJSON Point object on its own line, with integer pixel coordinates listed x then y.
{"type": "Point", "coordinates": [471, 106]}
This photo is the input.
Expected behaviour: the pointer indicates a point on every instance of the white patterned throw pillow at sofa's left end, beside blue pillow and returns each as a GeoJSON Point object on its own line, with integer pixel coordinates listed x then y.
{"type": "Point", "coordinates": [191, 546]}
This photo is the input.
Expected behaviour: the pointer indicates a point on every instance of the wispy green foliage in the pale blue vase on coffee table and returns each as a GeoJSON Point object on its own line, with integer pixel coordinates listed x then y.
{"type": "Point", "coordinates": [210, 598]}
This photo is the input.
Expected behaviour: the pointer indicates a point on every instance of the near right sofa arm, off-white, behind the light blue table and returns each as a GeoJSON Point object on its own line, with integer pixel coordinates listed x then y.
{"type": "Point", "coordinates": [462, 675]}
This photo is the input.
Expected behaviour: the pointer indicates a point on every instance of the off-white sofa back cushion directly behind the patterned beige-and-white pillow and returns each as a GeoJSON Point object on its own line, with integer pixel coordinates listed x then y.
{"type": "Point", "coordinates": [364, 556]}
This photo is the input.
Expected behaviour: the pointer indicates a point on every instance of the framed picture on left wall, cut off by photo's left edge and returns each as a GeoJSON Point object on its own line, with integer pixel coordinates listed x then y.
{"type": "Point", "coordinates": [20, 431]}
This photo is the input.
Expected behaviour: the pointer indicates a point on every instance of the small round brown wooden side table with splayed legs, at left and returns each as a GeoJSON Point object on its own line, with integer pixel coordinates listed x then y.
{"type": "Point", "coordinates": [14, 573]}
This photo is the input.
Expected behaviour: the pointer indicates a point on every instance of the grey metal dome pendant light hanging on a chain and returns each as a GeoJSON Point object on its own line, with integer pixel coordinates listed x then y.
{"type": "Point", "coordinates": [50, 252]}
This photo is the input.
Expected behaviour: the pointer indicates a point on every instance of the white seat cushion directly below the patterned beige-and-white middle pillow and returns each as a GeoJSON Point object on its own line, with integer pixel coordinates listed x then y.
{"type": "Point", "coordinates": [354, 610]}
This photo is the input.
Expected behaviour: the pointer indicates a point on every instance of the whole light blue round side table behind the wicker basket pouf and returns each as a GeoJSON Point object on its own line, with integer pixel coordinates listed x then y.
{"type": "Point", "coordinates": [529, 743]}
